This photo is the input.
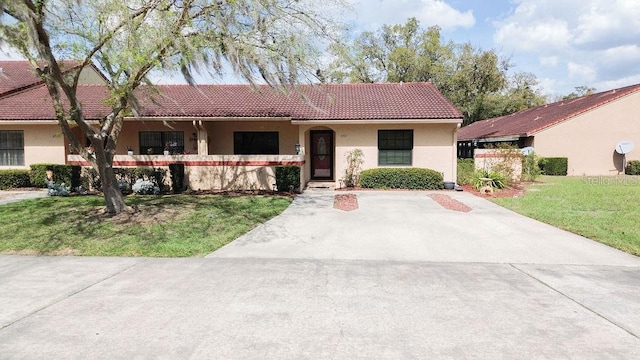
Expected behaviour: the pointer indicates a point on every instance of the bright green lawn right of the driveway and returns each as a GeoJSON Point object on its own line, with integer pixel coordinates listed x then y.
{"type": "Point", "coordinates": [605, 209]}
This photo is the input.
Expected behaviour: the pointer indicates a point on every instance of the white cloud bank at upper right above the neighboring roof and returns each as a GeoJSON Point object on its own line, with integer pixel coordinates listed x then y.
{"type": "Point", "coordinates": [594, 41]}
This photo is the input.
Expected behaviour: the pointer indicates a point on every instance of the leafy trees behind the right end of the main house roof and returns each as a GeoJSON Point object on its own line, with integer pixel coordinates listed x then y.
{"type": "Point", "coordinates": [476, 81]}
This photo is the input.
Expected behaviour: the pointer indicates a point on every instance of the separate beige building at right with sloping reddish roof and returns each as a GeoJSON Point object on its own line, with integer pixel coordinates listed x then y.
{"type": "Point", "coordinates": [585, 130]}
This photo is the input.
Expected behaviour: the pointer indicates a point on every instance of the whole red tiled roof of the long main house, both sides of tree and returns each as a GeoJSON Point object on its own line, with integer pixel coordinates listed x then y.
{"type": "Point", "coordinates": [310, 102]}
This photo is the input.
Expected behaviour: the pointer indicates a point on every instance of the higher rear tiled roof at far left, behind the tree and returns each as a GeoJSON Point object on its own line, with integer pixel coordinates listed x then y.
{"type": "Point", "coordinates": [18, 75]}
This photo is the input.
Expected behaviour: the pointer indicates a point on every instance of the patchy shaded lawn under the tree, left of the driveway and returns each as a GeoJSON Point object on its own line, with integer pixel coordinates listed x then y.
{"type": "Point", "coordinates": [163, 226]}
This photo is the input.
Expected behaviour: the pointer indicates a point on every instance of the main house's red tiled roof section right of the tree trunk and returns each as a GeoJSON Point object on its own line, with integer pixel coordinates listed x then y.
{"type": "Point", "coordinates": [317, 102]}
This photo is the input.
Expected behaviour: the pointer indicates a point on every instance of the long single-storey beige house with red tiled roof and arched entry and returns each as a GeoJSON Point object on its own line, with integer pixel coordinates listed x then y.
{"type": "Point", "coordinates": [232, 136]}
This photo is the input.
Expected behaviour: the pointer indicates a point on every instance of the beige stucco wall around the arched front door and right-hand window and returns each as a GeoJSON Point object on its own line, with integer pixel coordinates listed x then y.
{"type": "Point", "coordinates": [434, 146]}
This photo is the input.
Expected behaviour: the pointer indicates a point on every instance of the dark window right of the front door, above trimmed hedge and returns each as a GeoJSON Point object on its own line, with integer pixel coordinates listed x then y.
{"type": "Point", "coordinates": [395, 147]}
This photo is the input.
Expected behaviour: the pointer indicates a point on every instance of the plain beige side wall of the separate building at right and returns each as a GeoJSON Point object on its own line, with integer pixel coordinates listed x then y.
{"type": "Point", "coordinates": [588, 140]}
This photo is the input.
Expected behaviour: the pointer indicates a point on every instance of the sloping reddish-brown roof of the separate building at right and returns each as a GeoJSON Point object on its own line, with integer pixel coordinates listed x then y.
{"type": "Point", "coordinates": [531, 121]}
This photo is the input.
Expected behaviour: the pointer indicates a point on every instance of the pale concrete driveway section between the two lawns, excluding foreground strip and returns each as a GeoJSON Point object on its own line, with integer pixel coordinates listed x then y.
{"type": "Point", "coordinates": [410, 226]}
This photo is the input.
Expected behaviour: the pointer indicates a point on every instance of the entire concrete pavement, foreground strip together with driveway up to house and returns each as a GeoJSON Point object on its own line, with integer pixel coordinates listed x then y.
{"type": "Point", "coordinates": [403, 278]}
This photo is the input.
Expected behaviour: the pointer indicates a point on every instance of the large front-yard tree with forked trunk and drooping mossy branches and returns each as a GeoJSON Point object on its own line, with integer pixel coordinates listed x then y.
{"type": "Point", "coordinates": [272, 40]}
